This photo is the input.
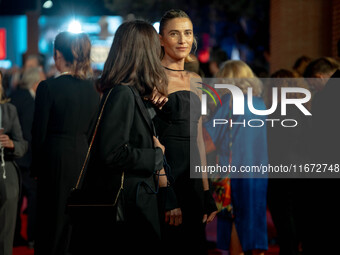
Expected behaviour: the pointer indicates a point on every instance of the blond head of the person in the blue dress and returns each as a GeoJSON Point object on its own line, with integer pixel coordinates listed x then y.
{"type": "Point", "coordinates": [241, 75]}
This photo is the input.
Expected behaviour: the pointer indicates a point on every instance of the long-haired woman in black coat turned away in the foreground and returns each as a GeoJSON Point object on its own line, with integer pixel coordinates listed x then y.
{"type": "Point", "coordinates": [124, 142]}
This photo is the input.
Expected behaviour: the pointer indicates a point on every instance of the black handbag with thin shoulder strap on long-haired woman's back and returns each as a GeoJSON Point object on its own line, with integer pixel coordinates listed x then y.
{"type": "Point", "coordinates": [81, 203]}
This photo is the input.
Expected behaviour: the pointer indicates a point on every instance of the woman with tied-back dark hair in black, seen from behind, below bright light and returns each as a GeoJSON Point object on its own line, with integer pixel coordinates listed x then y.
{"type": "Point", "coordinates": [65, 112]}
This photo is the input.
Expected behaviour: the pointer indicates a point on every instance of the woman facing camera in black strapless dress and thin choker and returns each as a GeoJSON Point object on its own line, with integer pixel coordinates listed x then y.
{"type": "Point", "coordinates": [181, 136]}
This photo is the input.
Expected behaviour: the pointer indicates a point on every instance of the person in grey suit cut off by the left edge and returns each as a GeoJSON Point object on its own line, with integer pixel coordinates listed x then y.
{"type": "Point", "coordinates": [12, 146]}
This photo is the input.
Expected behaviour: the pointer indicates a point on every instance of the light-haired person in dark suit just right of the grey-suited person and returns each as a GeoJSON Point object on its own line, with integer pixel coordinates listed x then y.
{"type": "Point", "coordinates": [23, 99]}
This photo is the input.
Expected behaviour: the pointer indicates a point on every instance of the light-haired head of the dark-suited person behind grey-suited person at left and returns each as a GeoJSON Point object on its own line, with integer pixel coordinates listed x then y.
{"type": "Point", "coordinates": [31, 78]}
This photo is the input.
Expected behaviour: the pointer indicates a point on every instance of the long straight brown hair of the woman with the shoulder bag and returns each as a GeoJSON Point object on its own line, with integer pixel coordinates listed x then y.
{"type": "Point", "coordinates": [134, 59]}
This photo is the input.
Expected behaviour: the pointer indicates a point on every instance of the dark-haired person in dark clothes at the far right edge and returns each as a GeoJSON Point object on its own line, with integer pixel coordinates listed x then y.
{"type": "Point", "coordinates": [321, 216]}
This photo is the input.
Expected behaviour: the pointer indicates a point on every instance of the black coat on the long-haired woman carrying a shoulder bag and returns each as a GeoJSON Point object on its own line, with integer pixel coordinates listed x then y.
{"type": "Point", "coordinates": [124, 143]}
